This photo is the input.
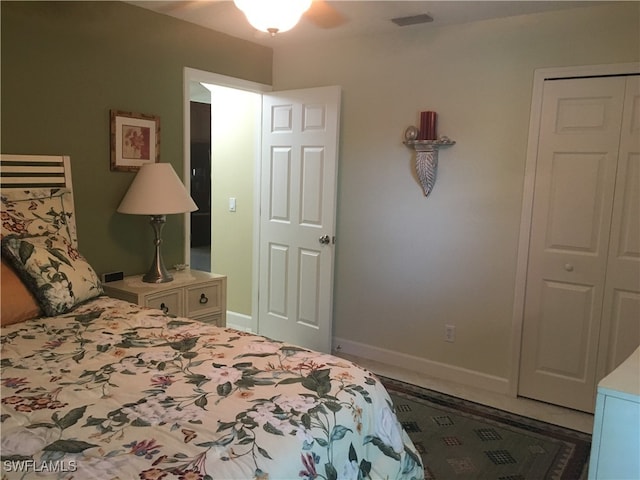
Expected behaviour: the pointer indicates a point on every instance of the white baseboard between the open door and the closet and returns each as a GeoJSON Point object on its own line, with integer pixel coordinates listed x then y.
{"type": "Point", "coordinates": [430, 368]}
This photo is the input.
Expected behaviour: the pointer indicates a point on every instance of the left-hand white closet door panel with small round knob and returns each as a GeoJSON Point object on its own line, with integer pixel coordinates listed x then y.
{"type": "Point", "coordinates": [572, 209]}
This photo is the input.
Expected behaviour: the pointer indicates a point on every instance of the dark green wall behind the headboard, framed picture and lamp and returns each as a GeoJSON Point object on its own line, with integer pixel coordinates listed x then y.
{"type": "Point", "coordinates": [66, 64]}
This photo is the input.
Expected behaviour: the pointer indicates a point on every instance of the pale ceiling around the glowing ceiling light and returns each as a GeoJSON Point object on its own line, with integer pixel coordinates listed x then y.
{"type": "Point", "coordinates": [363, 17]}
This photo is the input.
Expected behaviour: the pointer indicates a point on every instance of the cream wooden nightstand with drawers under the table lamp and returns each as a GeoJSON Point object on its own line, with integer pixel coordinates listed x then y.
{"type": "Point", "coordinates": [194, 294]}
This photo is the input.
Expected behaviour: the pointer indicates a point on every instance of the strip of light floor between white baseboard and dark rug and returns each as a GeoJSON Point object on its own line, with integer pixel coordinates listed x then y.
{"type": "Point", "coordinates": [564, 417]}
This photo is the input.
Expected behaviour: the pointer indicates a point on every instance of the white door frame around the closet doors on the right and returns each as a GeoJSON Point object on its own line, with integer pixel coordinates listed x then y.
{"type": "Point", "coordinates": [540, 75]}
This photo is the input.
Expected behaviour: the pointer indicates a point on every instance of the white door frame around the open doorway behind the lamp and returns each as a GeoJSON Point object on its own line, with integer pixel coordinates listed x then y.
{"type": "Point", "coordinates": [195, 75]}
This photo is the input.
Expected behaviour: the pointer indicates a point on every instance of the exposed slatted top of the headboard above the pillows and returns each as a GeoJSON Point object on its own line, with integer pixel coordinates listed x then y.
{"type": "Point", "coordinates": [31, 171]}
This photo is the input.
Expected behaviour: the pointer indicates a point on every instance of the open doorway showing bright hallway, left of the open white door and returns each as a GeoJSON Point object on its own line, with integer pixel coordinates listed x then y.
{"type": "Point", "coordinates": [223, 125]}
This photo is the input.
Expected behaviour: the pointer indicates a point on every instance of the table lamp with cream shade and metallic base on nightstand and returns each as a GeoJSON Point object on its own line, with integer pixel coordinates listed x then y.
{"type": "Point", "coordinates": [157, 191]}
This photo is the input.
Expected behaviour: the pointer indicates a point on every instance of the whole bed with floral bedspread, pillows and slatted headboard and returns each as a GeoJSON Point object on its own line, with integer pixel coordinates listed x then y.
{"type": "Point", "coordinates": [94, 387]}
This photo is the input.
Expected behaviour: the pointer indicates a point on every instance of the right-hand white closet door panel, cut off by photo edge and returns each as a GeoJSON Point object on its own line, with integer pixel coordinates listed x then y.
{"type": "Point", "coordinates": [620, 334]}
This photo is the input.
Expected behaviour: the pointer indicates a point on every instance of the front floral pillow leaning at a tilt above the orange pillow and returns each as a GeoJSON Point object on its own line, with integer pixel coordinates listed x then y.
{"type": "Point", "coordinates": [53, 269]}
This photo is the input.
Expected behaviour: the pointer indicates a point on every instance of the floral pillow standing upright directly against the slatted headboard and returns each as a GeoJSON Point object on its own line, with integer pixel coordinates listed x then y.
{"type": "Point", "coordinates": [39, 211]}
